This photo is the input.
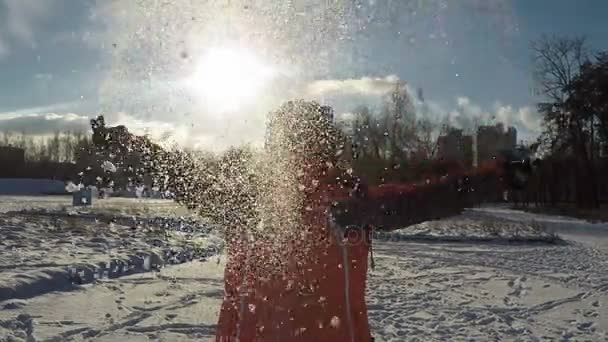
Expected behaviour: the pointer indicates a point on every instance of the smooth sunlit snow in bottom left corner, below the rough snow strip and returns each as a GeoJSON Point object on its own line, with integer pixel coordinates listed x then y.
{"type": "Point", "coordinates": [166, 306]}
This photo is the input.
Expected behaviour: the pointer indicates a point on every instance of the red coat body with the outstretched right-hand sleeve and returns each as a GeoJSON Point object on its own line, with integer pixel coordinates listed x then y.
{"type": "Point", "coordinates": [321, 296]}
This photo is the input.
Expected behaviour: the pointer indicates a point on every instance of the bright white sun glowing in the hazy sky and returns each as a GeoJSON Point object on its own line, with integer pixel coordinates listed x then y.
{"type": "Point", "coordinates": [227, 78]}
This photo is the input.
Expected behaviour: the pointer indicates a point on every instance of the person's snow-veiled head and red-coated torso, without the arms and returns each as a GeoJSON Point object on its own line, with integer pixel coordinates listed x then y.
{"type": "Point", "coordinates": [298, 276]}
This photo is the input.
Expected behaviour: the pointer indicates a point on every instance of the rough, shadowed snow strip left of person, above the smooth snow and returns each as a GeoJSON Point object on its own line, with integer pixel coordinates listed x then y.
{"type": "Point", "coordinates": [45, 251]}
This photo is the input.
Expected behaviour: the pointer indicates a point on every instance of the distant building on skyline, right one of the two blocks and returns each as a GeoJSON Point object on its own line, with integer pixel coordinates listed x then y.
{"type": "Point", "coordinates": [493, 139]}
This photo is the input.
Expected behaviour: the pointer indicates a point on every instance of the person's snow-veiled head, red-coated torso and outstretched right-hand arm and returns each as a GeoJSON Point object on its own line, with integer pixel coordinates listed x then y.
{"type": "Point", "coordinates": [294, 273]}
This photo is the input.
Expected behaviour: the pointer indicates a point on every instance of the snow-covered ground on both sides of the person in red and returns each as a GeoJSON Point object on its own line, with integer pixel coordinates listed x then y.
{"type": "Point", "coordinates": [430, 283]}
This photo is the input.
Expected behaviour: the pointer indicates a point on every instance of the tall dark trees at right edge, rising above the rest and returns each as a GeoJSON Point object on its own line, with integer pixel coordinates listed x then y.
{"type": "Point", "coordinates": [573, 84]}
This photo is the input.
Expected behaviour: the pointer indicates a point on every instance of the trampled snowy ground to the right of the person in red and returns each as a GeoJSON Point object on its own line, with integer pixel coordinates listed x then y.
{"type": "Point", "coordinates": [494, 291]}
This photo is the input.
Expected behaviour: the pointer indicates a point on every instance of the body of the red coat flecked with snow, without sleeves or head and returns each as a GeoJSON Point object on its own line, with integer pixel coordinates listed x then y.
{"type": "Point", "coordinates": [321, 299]}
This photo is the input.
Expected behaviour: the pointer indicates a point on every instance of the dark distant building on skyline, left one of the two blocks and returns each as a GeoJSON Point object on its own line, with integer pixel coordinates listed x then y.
{"type": "Point", "coordinates": [454, 146]}
